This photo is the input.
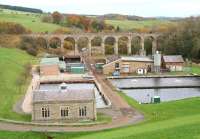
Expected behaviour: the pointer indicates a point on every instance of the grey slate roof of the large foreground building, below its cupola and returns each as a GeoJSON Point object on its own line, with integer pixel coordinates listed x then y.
{"type": "Point", "coordinates": [64, 95]}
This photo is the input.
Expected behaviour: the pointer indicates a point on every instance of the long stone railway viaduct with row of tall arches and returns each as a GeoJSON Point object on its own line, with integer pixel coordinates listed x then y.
{"type": "Point", "coordinates": [103, 36]}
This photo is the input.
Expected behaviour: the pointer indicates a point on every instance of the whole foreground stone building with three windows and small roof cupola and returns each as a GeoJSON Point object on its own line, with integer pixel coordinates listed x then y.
{"type": "Point", "coordinates": [63, 105]}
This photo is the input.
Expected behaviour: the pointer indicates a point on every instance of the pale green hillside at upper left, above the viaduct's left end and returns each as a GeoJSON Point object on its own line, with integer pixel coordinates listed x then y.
{"type": "Point", "coordinates": [29, 20]}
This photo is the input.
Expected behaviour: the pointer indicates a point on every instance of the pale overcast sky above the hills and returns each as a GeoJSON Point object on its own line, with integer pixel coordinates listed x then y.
{"type": "Point", "coordinates": [147, 8]}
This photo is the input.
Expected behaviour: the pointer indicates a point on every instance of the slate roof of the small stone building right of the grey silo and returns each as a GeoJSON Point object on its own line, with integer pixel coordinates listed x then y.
{"type": "Point", "coordinates": [173, 59]}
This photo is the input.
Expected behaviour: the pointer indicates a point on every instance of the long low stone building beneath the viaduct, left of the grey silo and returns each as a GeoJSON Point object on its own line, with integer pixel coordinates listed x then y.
{"type": "Point", "coordinates": [127, 64]}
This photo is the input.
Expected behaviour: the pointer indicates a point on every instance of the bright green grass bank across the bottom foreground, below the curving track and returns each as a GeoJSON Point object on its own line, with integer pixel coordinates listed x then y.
{"type": "Point", "coordinates": [170, 120]}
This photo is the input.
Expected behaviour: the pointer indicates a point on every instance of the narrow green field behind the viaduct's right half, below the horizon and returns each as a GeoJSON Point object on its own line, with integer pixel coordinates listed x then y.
{"type": "Point", "coordinates": [127, 24]}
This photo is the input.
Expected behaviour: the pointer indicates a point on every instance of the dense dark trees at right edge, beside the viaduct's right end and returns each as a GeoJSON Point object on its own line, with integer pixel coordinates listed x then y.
{"type": "Point", "coordinates": [183, 39]}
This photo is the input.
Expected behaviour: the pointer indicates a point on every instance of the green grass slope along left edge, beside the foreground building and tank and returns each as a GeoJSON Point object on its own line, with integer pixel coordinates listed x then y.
{"type": "Point", "coordinates": [12, 63]}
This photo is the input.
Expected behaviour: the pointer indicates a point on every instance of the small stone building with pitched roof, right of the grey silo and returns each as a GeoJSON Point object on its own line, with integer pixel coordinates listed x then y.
{"type": "Point", "coordinates": [173, 62]}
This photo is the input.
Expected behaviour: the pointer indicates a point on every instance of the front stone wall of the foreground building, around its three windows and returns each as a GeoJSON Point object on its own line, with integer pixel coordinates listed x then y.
{"type": "Point", "coordinates": [55, 111]}
